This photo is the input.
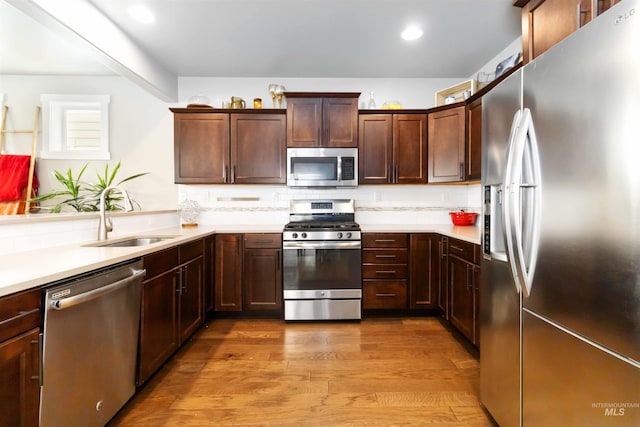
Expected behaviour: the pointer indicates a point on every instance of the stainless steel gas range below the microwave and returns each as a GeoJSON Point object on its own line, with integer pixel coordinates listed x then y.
{"type": "Point", "coordinates": [322, 261]}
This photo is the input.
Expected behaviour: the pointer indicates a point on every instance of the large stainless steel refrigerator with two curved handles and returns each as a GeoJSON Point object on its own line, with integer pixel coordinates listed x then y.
{"type": "Point", "coordinates": [560, 278]}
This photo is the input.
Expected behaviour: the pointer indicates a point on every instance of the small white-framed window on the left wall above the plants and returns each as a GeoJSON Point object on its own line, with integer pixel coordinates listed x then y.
{"type": "Point", "coordinates": [75, 127]}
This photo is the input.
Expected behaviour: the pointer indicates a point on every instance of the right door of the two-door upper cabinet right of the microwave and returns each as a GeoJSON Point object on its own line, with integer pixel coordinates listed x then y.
{"type": "Point", "coordinates": [410, 148]}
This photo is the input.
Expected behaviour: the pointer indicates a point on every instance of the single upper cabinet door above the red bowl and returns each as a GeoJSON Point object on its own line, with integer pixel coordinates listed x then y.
{"type": "Point", "coordinates": [446, 145]}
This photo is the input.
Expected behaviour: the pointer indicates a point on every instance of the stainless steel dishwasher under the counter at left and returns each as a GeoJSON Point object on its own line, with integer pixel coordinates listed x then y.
{"type": "Point", "coordinates": [90, 346]}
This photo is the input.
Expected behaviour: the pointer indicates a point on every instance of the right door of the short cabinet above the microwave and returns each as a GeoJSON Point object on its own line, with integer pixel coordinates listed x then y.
{"type": "Point", "coordinates": [340, 122]}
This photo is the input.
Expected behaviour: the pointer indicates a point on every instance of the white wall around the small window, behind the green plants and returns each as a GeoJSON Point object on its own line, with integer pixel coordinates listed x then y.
{"type": "Point", "coordinates": [140, 133]}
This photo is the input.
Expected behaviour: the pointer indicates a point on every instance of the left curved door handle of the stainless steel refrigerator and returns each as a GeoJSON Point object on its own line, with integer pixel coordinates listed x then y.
{"type": "Point", "coordinates": [507, 200]}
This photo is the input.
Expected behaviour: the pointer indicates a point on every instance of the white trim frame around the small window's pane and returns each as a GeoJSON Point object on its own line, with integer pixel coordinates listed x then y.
{"type": "Point", "coordinates": [53, 125]}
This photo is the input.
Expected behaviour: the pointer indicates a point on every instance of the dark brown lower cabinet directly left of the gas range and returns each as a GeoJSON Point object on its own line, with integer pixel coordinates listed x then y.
{"type": "Point", "coordinates": [248, 272]}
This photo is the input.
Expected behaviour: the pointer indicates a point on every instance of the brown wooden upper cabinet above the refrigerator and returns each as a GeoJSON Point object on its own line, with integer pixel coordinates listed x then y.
{"type": "Point", "coordinates": [546, 22]}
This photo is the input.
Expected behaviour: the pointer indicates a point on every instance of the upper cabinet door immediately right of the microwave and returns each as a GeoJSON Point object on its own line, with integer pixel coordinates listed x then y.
{"type": "Point", "coordinates": [375, 140]}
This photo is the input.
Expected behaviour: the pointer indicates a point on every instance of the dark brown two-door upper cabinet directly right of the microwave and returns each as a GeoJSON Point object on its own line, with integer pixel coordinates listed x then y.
{"type": "Point", "coordinates": [392, 148]}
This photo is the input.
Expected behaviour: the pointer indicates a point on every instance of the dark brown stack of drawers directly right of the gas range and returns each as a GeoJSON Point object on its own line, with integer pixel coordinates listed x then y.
{"type": "Point", "coordinates": [384, 270]}
